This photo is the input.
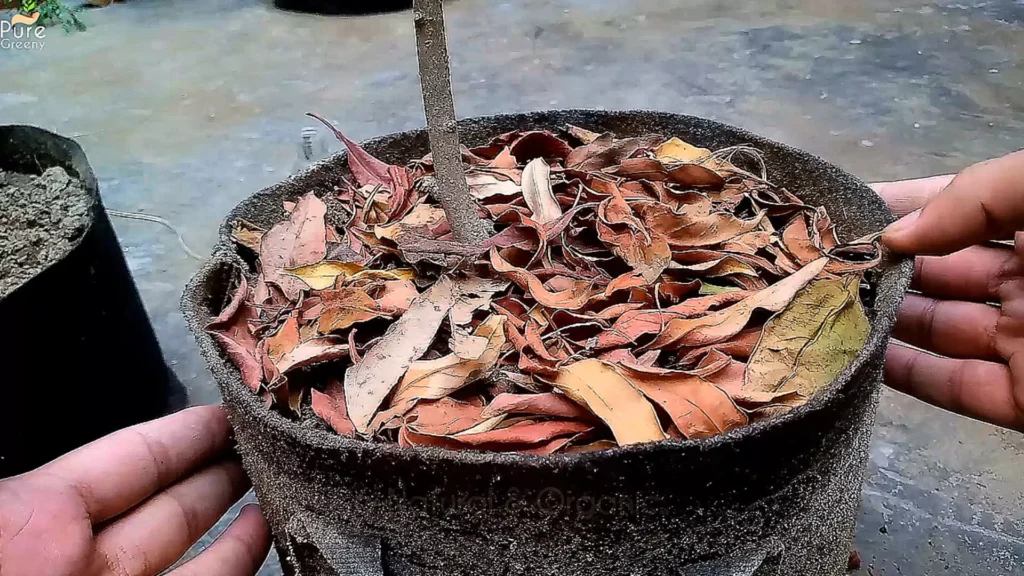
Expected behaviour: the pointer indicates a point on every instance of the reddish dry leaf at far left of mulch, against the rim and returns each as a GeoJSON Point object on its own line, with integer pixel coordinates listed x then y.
{"type": "Point", "coordinates": [231, 330]}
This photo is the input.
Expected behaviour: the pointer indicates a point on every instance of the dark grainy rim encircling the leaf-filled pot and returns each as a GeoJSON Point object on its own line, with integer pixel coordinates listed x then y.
{"type": "Point", "coordinates": [894, 270]}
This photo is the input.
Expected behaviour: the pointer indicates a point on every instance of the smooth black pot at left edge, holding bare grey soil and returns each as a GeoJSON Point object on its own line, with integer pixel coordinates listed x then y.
{"type": "Point", "coordinates": [79, 356]}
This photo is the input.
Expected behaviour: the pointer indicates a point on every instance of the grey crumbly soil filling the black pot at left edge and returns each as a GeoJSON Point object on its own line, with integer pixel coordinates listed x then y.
{"type": "Point", "coordinates": [42, 220]}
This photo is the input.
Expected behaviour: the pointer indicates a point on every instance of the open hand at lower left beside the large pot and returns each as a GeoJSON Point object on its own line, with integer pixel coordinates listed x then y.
{"type": "Point", "coordinates": [132, 504]}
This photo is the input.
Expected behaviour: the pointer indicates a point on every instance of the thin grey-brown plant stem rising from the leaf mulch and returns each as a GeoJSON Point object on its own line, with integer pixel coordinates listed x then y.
{"type": "Point", "coordinates": [436, 80]}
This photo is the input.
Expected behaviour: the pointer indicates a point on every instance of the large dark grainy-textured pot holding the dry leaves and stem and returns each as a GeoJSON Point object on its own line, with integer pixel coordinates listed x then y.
{"type": "Point", "coordinates": [777, 499]}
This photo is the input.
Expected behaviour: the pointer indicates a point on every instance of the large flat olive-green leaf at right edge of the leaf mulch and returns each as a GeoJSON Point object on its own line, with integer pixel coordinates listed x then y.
{"type": "Point", "coordinates": [803, 348]}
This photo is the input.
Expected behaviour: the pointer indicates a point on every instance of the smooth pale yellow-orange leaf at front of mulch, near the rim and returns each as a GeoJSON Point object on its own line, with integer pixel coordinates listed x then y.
{"type": "Point", "coordinates": [612, 398]}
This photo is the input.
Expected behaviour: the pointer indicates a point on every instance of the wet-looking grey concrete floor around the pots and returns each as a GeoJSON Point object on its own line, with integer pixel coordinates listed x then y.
{"type": "Point", "coordinates": [187, 108]}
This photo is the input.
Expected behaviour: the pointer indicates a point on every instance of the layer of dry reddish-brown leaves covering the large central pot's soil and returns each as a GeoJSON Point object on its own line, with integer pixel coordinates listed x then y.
{"type": "Point", "coordinates": [637, 290]}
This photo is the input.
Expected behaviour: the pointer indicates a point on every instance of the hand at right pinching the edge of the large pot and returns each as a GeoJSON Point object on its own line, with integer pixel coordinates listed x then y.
{"type": "Point", "coordinates": [970, 311]}
